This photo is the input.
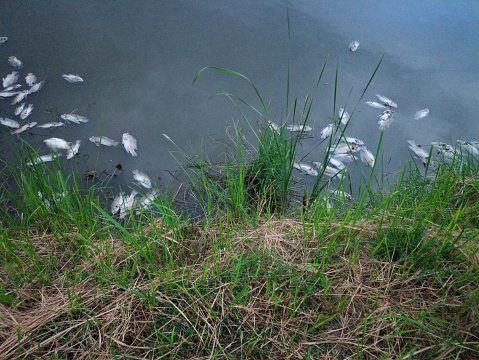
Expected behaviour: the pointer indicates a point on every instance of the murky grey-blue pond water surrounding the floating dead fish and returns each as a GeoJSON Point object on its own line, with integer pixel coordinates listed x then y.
{"type": "Point", "coordinates": [139, 58]}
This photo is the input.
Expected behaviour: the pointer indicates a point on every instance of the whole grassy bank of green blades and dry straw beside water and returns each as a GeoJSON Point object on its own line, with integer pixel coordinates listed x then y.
{"type": "Point", "coordinates": [270, 271]}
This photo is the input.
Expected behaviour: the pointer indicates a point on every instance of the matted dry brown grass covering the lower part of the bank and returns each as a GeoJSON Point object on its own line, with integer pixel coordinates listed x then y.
{"type": "Point", "coordinates": [365, 307]}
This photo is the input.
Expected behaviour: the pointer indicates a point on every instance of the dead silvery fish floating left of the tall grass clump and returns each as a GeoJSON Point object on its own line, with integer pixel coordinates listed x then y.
{"type": "Point", "coordinates": [122, 204]}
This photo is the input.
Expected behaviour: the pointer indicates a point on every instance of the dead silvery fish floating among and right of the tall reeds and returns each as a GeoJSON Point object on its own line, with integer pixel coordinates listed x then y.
{"type": "Point", "coordinates": [343, 152]}
